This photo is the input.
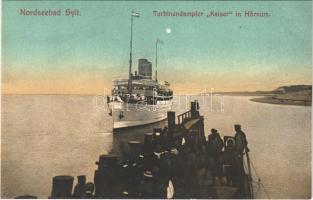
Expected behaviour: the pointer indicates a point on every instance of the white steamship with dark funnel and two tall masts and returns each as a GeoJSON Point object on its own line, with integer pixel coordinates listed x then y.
{"type": "Point", "coordinates": [139, 99]}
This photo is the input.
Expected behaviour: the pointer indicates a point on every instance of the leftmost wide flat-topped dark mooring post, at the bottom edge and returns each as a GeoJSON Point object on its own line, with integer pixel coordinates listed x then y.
{"type": "Point", "coordinates": [62, 187]}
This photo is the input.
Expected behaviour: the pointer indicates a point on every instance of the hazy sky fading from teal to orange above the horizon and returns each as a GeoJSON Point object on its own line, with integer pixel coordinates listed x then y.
{"type": "Point", "coordinates": [82, 54]}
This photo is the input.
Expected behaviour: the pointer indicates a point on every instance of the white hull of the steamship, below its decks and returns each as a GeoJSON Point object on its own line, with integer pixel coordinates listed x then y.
{"type": "Point", "coordinates": [129, 115]}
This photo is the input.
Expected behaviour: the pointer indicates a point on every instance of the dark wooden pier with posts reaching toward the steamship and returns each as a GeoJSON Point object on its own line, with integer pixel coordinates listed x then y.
{"type": "Point", "coordinates": [171, 162]}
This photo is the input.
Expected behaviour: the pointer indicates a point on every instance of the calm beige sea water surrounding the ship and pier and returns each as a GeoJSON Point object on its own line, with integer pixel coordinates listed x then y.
{"type": "Point", "coordinates": [47, 135]}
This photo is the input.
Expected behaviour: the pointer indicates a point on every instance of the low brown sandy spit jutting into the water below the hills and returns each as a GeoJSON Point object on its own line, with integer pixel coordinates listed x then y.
{"type": "Point", "coordinates": [273, 100]}
